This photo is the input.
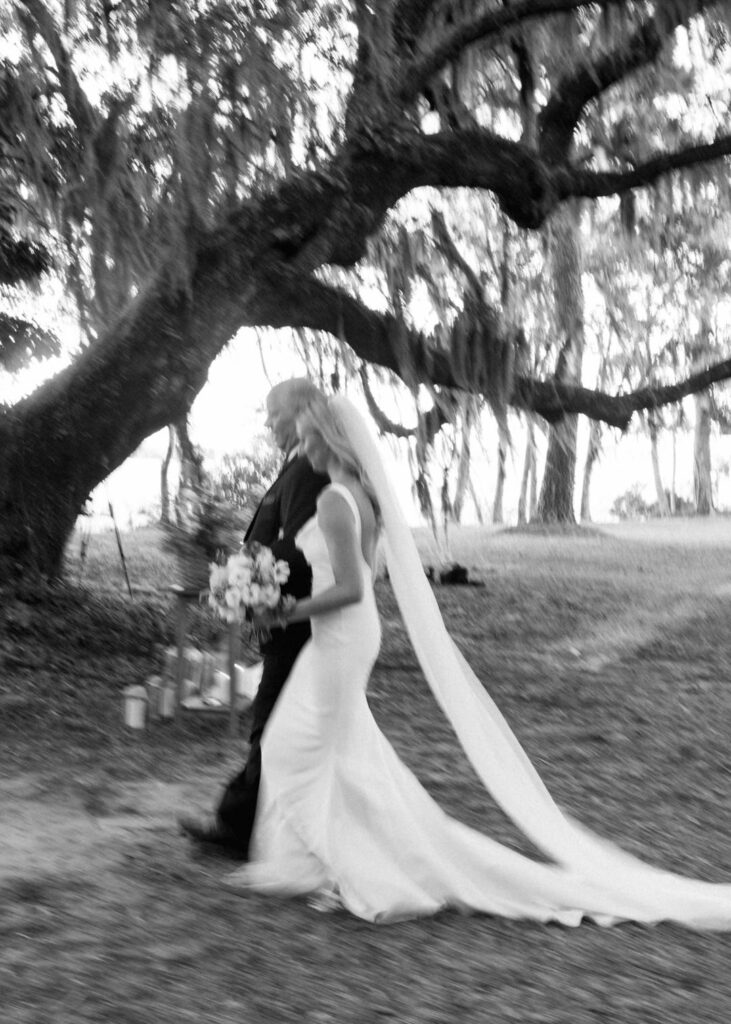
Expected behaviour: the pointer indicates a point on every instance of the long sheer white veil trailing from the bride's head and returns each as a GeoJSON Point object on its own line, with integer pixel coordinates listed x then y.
{"type": "Point", "coordinates": [643, 892]}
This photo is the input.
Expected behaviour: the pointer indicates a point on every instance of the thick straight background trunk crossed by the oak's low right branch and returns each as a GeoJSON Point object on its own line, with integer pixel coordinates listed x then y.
{"type": "Point", "coordinates": [556, 501]}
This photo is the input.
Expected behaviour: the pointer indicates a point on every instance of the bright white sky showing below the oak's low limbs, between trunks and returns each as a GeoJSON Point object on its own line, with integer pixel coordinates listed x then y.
{"type": "Point", "coordinates": [230, 413]}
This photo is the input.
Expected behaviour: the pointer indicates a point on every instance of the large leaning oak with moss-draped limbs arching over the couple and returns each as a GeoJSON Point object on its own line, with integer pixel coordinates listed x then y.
{"type": "Point", "coordinates": [206, 166]}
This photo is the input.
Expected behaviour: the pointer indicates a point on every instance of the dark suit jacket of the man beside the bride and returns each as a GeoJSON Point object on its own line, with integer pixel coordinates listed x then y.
{"type": "Point", "coordinates": [286, 507]}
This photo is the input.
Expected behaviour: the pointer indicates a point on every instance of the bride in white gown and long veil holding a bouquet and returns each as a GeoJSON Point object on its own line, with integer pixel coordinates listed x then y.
{"type": "Point", "coordinates": [340, 818]}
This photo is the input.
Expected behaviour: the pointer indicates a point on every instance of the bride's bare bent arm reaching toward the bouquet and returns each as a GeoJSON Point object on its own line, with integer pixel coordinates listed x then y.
{"type": "Point", "coordinates": [338, 526]}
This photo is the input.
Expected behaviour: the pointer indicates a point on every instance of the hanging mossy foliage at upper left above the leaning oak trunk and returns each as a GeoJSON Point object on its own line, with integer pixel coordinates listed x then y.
{"type": "Point", "coordinates": [197, 109]}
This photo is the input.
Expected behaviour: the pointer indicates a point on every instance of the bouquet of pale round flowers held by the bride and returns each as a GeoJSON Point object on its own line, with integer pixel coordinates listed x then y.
{"type": "Point", "coordinates": [249, 582]}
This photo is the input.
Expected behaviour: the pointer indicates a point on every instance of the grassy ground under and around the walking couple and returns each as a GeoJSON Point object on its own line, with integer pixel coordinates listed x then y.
{"type": "Point", "coordinates": [608, 651]}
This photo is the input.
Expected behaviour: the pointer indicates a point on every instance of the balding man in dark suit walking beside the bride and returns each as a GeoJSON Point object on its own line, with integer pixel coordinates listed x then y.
{"type": "Point", "coordinates": [286, 507]}
